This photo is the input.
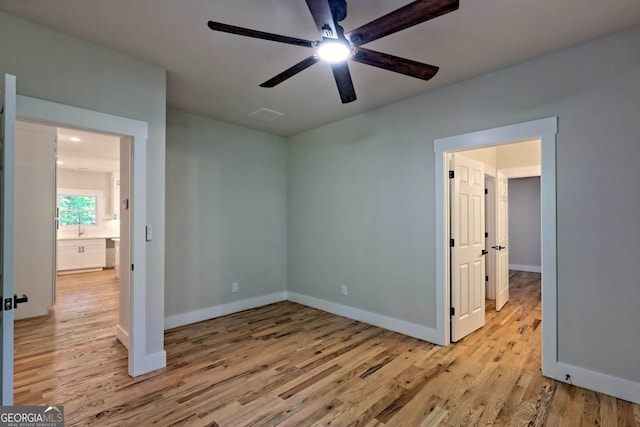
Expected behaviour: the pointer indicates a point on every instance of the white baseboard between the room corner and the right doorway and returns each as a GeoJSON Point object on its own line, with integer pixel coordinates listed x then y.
{"type": "Point", "coordinates": [407, 328]}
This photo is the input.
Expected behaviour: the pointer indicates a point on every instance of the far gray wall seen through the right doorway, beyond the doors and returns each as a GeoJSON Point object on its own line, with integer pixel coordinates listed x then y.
{"type": "Point", "coordinates": [524, 222]}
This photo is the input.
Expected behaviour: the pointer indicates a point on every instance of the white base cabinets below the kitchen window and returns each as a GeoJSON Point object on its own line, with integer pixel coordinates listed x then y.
{"type": "Point", "coordinates": [81, 254]}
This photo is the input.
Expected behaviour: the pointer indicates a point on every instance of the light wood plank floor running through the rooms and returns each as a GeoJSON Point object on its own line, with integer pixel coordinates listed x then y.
{"type": "Point", "coordinates": [290, 365]}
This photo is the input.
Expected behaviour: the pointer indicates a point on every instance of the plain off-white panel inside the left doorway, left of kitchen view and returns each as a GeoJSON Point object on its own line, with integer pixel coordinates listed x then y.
{"type": "Point", "coordinates": [34, 227]}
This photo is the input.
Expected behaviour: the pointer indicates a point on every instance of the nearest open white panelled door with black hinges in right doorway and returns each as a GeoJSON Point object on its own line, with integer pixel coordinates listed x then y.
{"type": "Point", "coordinates": [468, 250]}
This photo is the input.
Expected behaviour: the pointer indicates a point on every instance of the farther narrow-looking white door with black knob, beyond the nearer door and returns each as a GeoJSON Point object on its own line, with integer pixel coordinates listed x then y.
{"type": "Point", "coordinates": [502, 241]}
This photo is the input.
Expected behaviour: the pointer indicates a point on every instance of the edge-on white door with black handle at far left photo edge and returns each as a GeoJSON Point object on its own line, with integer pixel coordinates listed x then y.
{"type": "Point", "coordinates": [7, 155]}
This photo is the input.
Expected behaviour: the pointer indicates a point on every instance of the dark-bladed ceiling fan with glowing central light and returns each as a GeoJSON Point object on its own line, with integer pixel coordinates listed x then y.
{"type": "Point", "coordinates": [337, 46]}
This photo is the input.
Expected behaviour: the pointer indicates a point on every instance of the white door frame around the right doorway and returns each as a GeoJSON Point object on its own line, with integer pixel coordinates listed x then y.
{"type": "Point", "coordinates": [545, 130]}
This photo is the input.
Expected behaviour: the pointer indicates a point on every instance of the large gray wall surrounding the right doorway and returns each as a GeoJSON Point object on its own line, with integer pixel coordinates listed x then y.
{"type": "Point", "coordinates": [361, 196]}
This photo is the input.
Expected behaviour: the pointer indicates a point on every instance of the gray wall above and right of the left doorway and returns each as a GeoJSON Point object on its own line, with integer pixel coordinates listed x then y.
{"type": "Point", "coordinates": [56, 67]}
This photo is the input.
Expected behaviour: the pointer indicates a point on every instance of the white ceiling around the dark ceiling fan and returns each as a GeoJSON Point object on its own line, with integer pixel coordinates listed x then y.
{"type": "Point", "coordinates": [217, 75]}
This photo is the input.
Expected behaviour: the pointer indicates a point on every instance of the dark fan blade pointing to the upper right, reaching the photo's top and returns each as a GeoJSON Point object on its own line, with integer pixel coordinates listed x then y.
{"type": "Point", "coordinates": [407, 16]}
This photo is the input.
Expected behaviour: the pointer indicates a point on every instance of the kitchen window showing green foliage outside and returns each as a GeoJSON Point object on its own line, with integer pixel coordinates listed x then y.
{"type": "Point", "coordinates": [79, 207]}
